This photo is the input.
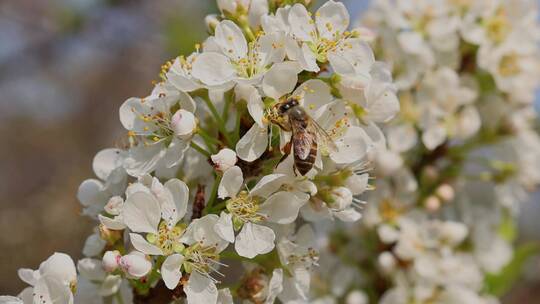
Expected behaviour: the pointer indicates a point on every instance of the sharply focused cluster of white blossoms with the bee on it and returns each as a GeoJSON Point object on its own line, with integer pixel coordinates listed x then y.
{"type": "Point", "coordinates": [240, 153]}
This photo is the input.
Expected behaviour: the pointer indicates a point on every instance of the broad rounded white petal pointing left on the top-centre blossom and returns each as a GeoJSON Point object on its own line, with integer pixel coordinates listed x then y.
{"type": "Point", "coordinates": [213, 69]}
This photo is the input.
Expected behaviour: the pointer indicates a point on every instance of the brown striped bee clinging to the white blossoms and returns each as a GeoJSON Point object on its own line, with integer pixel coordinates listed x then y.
{"type": "Point", "coordinates": [290, 116]}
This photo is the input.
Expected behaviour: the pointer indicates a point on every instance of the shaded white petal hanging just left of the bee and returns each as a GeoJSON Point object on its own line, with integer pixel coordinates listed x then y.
{"type": "Point", "coordinates": [253, 144]}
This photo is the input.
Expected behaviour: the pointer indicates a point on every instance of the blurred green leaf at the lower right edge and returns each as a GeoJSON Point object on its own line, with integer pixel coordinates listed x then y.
{"type": "Point", "coordinates": [500, 283]}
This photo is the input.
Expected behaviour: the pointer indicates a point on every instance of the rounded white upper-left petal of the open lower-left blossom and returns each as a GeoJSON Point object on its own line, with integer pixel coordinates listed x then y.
{"type": "Point", "coordinates": [142, 213]}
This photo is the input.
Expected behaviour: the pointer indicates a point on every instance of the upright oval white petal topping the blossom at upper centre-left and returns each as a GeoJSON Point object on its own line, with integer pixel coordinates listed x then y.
{"type": "Point", "coordinates": [231, 40]}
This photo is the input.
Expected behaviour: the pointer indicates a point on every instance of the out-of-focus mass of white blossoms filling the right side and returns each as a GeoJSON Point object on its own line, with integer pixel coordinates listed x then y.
{"type": "Point", "coordinates": [461, 156]}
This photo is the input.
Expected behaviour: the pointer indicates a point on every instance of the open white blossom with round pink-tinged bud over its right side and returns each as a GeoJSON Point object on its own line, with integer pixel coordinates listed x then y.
{"type": "Point", "coordinates": [157, 137]}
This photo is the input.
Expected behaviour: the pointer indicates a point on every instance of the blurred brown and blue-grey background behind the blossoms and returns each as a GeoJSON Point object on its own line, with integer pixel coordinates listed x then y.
{"type": "Point", "coordinates": [65, 68]}
